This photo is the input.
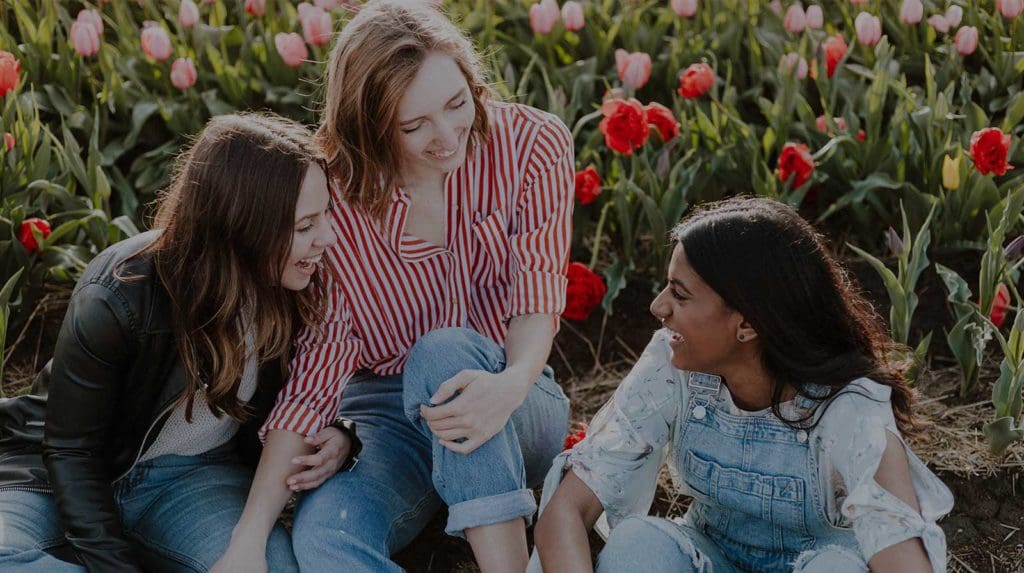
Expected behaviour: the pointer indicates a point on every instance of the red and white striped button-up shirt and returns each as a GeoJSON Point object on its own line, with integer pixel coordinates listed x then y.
{"type": "Point", "coordinates": [508, 237]}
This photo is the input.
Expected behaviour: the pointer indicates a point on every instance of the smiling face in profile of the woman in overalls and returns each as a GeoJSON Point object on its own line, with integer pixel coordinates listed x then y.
{"type": "Point", "coordinates": [705, 330]}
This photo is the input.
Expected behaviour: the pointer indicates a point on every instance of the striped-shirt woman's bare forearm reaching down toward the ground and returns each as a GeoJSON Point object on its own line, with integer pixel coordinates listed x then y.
{"type": "Point", "coordinates": [270, 492]}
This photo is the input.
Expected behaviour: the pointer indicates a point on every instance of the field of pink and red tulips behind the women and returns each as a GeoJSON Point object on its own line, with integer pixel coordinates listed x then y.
{"type": "Point", "coordinates": [894, 126]}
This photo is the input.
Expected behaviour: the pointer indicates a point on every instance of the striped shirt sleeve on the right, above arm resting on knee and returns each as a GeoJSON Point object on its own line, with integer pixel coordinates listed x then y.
{"type": "Point", "coordinates": [542, 230]}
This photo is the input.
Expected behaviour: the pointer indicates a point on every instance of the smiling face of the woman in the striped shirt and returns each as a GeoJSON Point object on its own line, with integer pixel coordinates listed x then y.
{"type": "Point", "coordinates": [436, 117]}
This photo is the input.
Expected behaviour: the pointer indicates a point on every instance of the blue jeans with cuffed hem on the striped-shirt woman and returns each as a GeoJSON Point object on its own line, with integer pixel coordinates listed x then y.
{"type": "Point", "coordinates": [358, 519]}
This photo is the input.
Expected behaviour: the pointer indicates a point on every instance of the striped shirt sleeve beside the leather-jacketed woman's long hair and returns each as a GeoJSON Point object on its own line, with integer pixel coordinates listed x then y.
{"type": "Point", "coordinates": [325, 360]}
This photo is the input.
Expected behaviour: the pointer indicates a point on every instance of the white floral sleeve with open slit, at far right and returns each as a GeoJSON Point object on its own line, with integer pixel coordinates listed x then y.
{"type": "Point", "coordinates": [854, 436]}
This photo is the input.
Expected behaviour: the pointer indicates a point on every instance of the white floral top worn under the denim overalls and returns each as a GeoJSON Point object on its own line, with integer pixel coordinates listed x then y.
{"type": "Point", "coordinates": [631, 437]}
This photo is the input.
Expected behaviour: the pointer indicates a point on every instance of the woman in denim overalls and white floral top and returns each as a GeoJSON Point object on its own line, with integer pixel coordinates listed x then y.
{"type": "Point", "coordinates": [771, 394]}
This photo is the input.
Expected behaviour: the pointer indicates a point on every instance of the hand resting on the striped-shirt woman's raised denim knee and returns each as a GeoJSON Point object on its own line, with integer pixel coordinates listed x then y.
{"type": "Point", "coordinates": [484, 405]}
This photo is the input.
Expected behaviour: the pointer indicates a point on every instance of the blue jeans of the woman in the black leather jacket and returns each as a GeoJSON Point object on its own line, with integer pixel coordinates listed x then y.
{"type": "Point", "coordinates": [179, 512]}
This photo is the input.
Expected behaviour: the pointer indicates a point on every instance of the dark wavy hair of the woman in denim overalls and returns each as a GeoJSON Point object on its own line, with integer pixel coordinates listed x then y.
{"type": "Point", "coordinates": [815, 326]}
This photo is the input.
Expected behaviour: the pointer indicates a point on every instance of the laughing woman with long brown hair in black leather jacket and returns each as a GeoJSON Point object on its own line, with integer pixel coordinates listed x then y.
{"type": "Point", "coordinates": [172, 355]}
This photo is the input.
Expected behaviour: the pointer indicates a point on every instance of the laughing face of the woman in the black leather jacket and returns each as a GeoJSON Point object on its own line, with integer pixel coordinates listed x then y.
{"type": "Point", "coordinates": [313, 234]}
